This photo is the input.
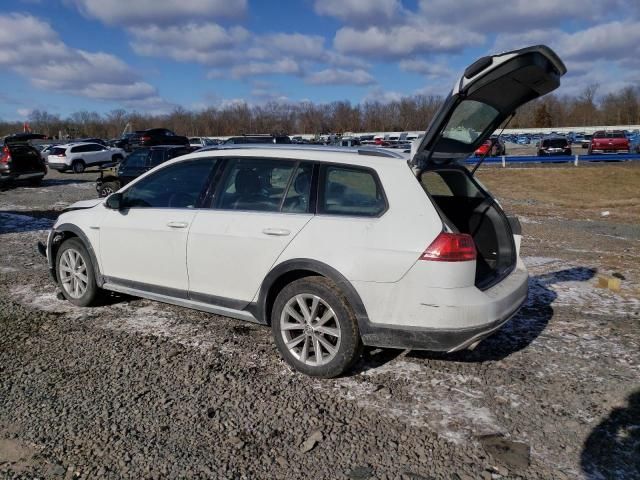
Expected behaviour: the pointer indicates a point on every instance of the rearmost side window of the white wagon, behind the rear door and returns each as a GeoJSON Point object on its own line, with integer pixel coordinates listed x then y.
{"type": "Point", "coordinates": [351, 191]}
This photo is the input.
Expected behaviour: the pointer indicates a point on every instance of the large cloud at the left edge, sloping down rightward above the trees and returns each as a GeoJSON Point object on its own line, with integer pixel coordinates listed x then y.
{"type": "Point", "coordinates": [33, 49]}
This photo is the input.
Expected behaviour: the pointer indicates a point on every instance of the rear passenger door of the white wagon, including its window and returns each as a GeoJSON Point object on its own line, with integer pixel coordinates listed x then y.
{"type": "Point", "coordinates": [260, 206]}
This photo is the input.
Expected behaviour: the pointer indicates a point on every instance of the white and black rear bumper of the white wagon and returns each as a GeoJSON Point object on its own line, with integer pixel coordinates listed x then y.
{"type": "Point", "coordinates": [459, 318]}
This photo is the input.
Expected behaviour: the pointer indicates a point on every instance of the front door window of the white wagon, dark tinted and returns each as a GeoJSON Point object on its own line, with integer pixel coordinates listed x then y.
{"type": "Point", "coordinates": [176, 186]}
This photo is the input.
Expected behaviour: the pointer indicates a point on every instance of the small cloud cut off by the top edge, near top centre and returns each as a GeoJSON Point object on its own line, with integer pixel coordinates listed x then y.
{"type": "Point", "coordinates": [360, 12]}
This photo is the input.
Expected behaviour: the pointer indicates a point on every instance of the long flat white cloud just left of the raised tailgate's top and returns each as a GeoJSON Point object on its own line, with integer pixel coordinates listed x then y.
{"type": "Point", "coordinates": [404, 40]}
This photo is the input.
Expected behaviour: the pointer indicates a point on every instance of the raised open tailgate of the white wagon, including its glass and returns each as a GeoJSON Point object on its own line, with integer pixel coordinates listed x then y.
{"type": "Point", "coordinates": [490, 90]}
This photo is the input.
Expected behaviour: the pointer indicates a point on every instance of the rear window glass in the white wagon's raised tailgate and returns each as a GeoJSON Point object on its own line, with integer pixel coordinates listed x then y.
{"type": "Point", "coordinates": [469, 120]}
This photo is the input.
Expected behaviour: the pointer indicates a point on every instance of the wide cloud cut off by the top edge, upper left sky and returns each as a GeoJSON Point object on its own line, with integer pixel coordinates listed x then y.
{"type": "Point", "coordinates": [159, 12]}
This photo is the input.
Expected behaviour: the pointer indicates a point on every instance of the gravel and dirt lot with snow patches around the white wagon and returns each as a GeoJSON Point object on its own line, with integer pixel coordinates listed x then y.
{"type": "Point", "coordinates": [140, 389]}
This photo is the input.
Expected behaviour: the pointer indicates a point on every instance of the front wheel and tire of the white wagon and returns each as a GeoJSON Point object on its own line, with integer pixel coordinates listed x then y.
{"type": "Point", "coordinates": [73, 270]}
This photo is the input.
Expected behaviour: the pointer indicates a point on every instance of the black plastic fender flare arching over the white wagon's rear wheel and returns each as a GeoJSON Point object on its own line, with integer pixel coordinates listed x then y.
{"type": "Point", "coordinates": [319, 268]}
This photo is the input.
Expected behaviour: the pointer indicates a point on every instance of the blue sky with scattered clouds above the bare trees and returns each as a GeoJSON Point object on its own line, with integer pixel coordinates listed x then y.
{"type": "Point", "coordinates": [153, 56]}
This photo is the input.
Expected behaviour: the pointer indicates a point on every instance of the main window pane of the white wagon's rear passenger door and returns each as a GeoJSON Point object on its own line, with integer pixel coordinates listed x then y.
{"type": "Point", "coordinates": [258, 185]}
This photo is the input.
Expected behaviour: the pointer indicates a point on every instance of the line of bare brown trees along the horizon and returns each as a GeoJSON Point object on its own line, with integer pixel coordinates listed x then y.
{"type": "Point", "coordinates": [410, 113]}
